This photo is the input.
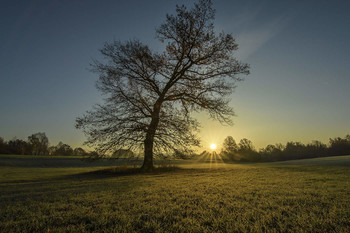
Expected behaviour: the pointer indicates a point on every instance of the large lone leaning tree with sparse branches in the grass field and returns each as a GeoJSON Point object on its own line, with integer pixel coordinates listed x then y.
{"type": "Point", "coordinates": [149, 96]}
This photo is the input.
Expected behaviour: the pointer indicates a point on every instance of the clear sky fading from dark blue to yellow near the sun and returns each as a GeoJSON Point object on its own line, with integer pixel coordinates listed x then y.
{"type": "Point", "coordinates": [298, 51]}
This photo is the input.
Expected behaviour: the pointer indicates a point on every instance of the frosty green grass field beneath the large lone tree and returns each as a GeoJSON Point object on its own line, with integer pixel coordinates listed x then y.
{"type": "Point", "coordinates": [39, 194]}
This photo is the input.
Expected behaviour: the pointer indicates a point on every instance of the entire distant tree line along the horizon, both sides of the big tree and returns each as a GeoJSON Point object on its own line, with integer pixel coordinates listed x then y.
{"type": "Point", "coordinates": [243, 151]}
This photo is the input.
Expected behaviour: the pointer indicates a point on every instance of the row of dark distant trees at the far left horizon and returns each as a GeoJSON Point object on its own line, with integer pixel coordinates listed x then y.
{"type": "Point", "coordinates": [38, 144]}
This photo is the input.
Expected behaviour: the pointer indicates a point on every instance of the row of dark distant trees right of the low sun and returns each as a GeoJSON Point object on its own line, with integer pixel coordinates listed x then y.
{"type": "Point", "coordinates": [245, 150]}
